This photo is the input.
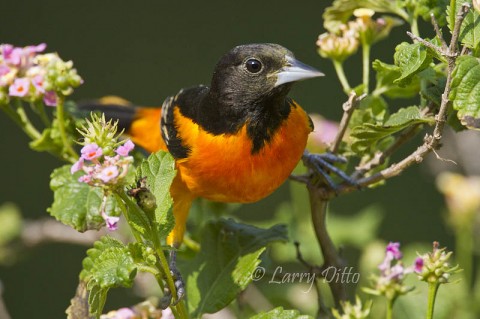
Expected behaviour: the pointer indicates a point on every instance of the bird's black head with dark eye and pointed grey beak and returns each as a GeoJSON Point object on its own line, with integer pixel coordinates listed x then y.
{"type": "Point", "coordinates": [257, 74]}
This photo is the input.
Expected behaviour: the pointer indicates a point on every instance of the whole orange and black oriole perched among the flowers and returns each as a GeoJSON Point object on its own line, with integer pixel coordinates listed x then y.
{"type": "Point", "coordinates": [235, 141]}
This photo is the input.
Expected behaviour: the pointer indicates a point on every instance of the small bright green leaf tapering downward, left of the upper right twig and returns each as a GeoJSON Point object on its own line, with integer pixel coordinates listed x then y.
{"type": "Point", "coordinates": [411, 58]}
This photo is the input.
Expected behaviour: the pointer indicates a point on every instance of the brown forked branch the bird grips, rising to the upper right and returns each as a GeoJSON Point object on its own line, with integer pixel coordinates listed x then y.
{"type": "Point", "coordinates": [320, 196]}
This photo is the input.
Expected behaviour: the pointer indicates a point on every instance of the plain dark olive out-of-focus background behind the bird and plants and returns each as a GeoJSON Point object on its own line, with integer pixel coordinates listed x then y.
{"type": "Point", "coordinates": [145, 51]}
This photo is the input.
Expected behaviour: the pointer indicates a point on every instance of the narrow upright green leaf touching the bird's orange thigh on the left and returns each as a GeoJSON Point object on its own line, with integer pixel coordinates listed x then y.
{"type": "Point", "coordinates": [159, 168]}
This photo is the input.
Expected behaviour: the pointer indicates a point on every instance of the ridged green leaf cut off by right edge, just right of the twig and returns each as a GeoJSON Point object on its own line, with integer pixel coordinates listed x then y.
{"type": "Point", "coordinates": [465, 92]}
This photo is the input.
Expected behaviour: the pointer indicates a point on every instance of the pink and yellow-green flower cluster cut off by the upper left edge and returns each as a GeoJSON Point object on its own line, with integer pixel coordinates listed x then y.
{"type": "Point", "coordinates": [26, 74]}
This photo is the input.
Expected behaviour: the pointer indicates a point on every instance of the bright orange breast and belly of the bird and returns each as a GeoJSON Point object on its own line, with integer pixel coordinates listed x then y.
{"type": "Point", "coordinates": [222, 168]}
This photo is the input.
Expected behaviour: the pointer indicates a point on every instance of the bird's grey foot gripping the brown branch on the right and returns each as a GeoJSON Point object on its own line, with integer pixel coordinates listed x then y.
{"type": "Point", "coordinates": [324, 164]}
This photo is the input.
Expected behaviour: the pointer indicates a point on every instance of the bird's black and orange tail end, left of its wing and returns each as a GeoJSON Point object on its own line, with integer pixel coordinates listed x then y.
{"type": "Point", "coordinates": [141, 124]}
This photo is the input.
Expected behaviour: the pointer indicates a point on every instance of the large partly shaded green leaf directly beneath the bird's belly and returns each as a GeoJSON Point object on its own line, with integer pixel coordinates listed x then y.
{"type": "Point", "coordinates": [224, 266]}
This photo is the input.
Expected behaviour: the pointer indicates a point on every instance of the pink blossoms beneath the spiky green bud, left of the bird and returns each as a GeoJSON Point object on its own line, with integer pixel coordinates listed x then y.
{"type": "Point", "coordinates": [101, 169]}
